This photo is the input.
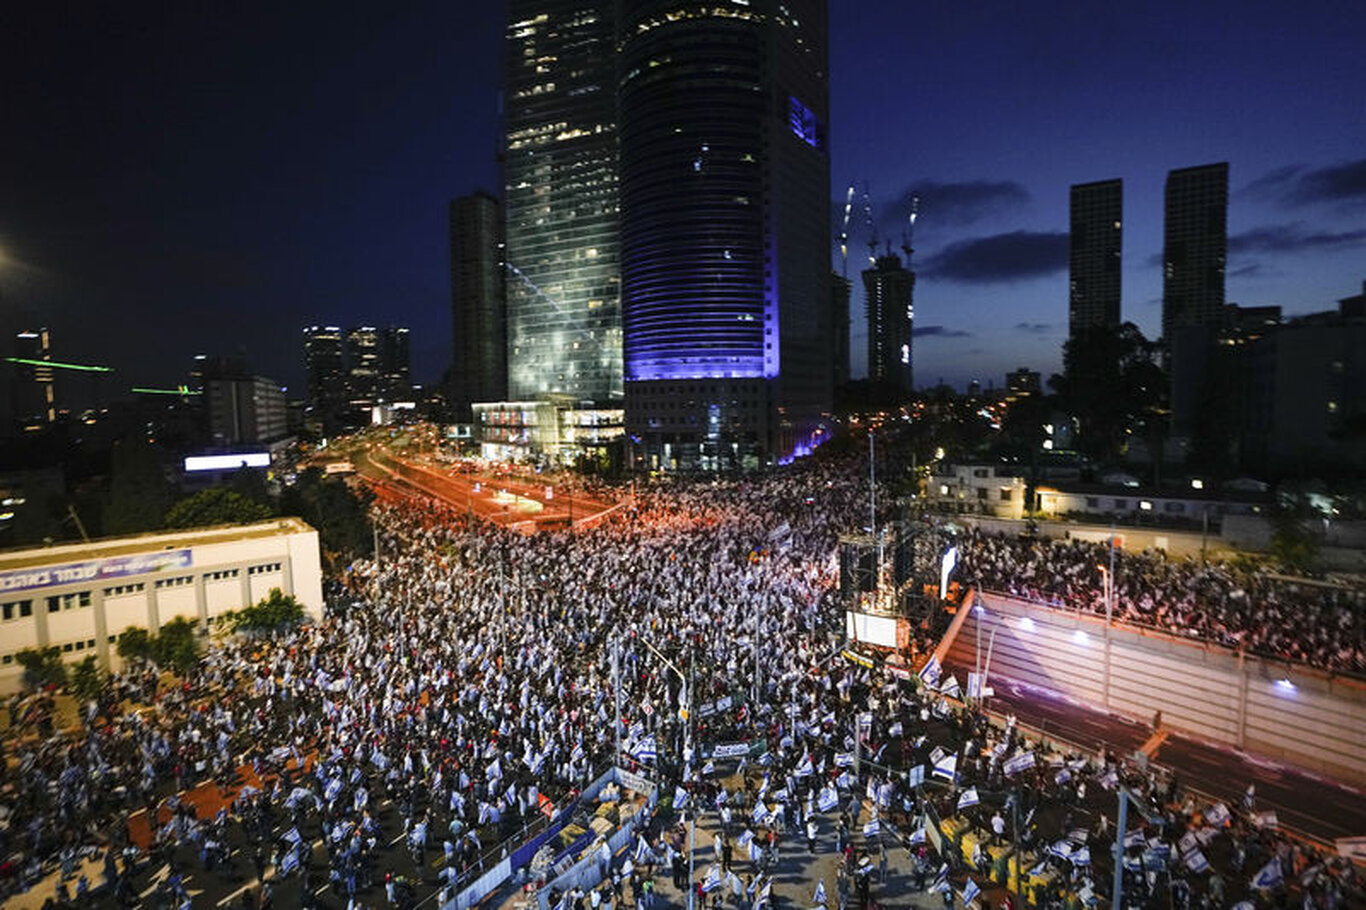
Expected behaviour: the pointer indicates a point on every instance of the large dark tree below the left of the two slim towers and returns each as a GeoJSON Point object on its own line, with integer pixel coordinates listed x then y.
{"type": "Point", "coordinates": [1113, 383]}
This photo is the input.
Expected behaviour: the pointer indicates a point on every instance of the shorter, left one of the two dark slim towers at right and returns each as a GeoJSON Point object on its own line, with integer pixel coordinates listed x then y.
{"type": "Point", "coordinates": [1098, 212]}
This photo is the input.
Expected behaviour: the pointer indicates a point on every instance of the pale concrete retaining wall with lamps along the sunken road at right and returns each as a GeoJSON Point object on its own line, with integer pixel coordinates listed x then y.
{"type": "Point", "coordinates": [1300, 715]}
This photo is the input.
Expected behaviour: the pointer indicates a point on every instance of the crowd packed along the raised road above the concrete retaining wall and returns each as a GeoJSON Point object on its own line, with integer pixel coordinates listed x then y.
{"type": "Point", "coordinates": [1237, 607]}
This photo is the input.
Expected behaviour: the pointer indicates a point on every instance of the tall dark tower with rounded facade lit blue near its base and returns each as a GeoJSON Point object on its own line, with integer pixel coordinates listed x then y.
{"type": "Point", "coordinates": [725, 245]}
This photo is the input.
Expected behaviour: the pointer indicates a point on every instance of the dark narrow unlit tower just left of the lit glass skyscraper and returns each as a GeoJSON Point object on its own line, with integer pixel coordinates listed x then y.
{"type": "Point", "coordinates": [479, 304]}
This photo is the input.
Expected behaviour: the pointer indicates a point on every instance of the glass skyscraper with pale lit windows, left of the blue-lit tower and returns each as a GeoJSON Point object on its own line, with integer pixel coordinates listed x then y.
{"type": "Point", "coordinates": [561, 202]}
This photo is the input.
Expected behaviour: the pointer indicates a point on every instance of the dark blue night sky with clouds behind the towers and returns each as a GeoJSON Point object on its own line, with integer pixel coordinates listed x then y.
{"type": "Point", "coordinates": [176, 180]}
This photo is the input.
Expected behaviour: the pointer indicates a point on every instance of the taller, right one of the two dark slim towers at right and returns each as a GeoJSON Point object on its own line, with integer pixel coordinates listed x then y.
{"type": "Point", "coordinates": [1196, 248]}
